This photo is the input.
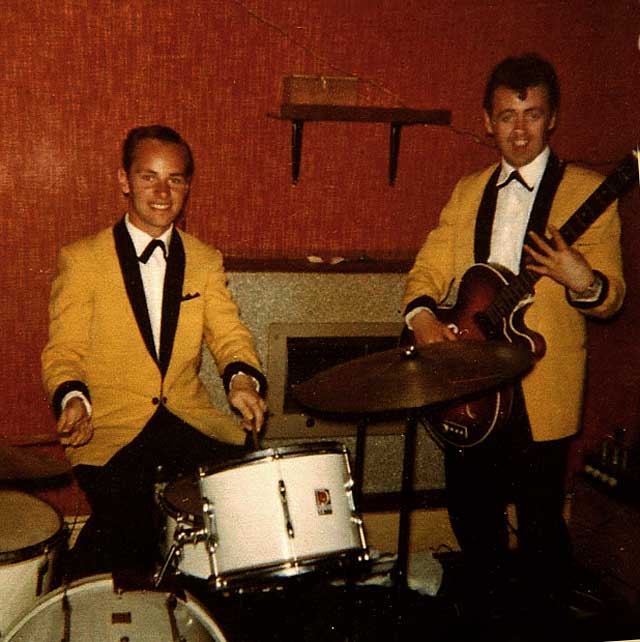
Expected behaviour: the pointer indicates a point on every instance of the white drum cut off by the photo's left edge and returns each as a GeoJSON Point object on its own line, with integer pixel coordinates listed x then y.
{"type": "Point", "coordinates": [31, 539]}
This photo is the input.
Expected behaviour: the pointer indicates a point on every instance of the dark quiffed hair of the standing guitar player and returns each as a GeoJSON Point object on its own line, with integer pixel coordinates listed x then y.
{"type": "Point", "coordinates": [521, 72]}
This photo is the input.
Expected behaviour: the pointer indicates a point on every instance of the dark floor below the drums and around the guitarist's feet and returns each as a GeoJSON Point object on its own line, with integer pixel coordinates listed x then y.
{"type": "Point", "coordinates": [314, 609]}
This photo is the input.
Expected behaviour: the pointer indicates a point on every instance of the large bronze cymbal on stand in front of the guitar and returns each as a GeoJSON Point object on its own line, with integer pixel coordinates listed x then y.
{"type": "Point", "coordinates": [412, 377]}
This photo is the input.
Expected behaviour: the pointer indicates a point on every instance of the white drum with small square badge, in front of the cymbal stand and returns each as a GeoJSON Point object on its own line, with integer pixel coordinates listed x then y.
{"type": "Point", "coordinates": [280, 512]}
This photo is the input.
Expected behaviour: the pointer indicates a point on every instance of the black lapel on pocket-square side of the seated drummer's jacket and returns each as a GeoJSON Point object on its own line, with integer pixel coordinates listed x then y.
{"type": "Point", "coordinates": [171, 299]}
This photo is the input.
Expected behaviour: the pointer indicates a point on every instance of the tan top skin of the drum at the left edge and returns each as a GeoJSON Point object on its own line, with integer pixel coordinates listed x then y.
{"type": "Point", "coordinates": [27, 523]}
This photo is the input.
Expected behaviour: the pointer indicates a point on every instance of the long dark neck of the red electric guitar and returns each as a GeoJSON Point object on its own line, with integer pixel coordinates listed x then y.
{"type": "Point", "coordinates": [615, 184]}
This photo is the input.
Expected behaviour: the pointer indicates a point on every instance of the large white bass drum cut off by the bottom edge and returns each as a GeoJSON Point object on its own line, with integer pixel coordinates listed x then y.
{"type": "Point", "coordinates": [93, 610]}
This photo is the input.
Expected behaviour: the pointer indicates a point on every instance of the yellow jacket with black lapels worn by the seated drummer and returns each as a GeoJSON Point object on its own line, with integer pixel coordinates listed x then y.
{"type": "Point", "coordinates": [100, 339]}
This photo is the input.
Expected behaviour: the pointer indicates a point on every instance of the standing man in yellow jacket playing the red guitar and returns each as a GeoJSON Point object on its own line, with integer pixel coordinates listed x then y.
{"type": "Point", "coordinates": [493, 218]}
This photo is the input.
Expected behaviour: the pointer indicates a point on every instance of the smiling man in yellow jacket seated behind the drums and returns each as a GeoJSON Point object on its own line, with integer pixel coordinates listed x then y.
{"type": "Point", "coordinates": [129, 309]}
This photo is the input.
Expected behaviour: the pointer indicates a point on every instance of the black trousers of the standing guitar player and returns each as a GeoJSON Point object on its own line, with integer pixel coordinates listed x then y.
{"type": "Point", "coordinates": [509, 467]}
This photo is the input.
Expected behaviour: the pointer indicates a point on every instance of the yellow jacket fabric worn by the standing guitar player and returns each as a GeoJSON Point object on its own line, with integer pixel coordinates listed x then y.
{"type": "Point", "coordinates": [553, 389]}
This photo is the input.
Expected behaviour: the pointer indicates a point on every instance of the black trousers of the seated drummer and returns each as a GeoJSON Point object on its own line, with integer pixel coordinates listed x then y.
{"type": "Point", "coordinates": [124, 529]}
